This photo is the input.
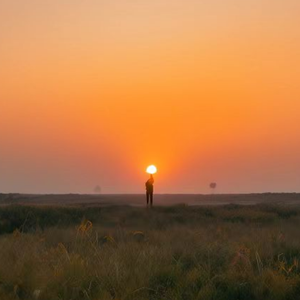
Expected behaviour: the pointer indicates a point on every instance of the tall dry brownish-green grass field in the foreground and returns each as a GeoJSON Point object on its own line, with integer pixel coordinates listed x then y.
{"type": "Point", "coordinates": [177, 252]}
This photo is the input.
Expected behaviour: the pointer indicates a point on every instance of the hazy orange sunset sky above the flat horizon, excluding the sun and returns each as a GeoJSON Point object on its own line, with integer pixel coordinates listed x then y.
{"type": "Point", "coordinates": [92, 92]}
